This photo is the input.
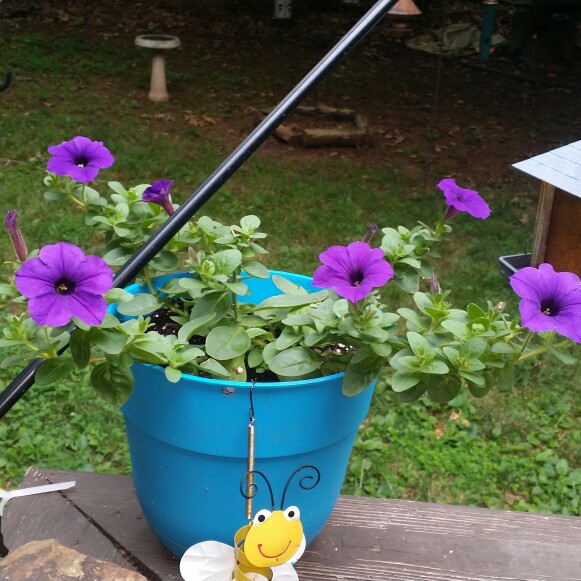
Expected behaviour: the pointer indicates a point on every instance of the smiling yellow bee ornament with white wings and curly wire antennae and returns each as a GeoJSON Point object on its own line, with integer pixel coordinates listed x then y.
{"type": "Point", "coordinates": [265, 549]}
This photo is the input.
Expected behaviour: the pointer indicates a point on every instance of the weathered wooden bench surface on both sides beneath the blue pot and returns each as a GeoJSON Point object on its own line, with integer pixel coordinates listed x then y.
{"type": "Point", "coordinates": [365, 539]}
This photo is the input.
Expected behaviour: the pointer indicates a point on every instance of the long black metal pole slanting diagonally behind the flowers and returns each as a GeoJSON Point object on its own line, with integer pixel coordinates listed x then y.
{"type": "Point", "coordinates": [125, 275]}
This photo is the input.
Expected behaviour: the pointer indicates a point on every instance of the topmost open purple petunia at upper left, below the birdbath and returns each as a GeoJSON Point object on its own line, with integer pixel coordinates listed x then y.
{"type": "Point", "coordinates": [80, 159]}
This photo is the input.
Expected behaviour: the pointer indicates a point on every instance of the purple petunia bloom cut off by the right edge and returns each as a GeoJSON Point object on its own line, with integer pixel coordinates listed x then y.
{"type": "Point", "coordinates": [550, 300]}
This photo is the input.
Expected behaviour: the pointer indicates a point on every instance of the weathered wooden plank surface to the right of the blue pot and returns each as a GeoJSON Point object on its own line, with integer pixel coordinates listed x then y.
{"type": "Point", "coordinates": [378, 540]}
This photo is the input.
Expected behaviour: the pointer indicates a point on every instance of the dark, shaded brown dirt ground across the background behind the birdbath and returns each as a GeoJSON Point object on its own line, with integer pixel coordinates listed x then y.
{"type": "Point", "coordinates": [428, 114]}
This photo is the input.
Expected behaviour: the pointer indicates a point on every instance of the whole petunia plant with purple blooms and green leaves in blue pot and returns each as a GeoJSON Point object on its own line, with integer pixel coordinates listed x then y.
{"type": "Point", "coordinates": [205, 321]}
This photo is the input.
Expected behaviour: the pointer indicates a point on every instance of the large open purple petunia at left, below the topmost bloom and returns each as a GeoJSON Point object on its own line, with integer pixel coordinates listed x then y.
{"type": "Point", "coordinates": [62, 283]}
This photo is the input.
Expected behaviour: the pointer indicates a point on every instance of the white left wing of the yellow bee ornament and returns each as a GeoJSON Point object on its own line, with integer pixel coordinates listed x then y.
{"type": "Point", "coordinates": [208, 561]}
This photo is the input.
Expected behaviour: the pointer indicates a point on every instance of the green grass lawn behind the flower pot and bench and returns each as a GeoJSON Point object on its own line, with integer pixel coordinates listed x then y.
{"type": "Point", "coordinates": [518, 448]}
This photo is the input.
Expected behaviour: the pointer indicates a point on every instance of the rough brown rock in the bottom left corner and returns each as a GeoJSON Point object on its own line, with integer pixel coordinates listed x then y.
{"type": "Point", "coordinates": [49, 561]}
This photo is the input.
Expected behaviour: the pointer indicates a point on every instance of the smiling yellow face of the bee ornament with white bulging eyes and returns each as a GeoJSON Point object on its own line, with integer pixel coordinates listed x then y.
{"type": "Point", "coordinates": [273, 537]}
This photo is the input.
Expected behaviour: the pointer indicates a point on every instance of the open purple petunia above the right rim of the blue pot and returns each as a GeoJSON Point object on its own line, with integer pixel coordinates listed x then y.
{"type": "Point", "coordinates": [352, 271]}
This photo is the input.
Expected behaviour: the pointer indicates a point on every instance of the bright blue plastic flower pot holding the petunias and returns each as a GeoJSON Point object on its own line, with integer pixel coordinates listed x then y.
{"type": "Point", "coordinates": [188, 445]}
